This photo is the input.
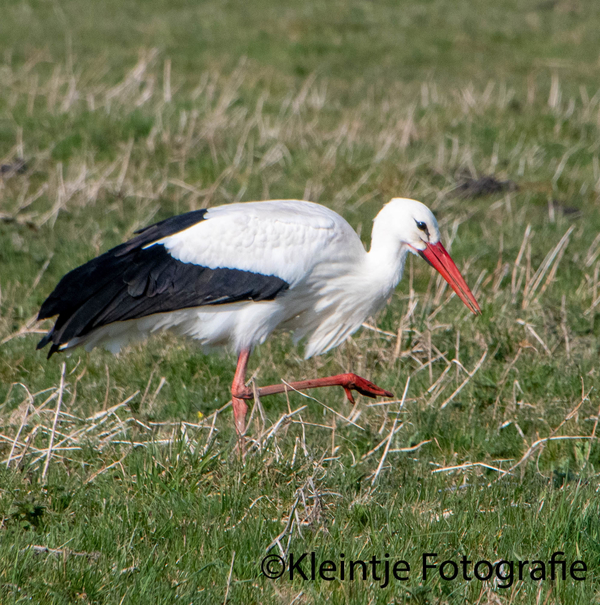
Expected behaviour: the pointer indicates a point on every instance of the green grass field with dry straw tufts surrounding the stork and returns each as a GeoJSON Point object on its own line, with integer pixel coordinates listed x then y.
{"type": "Point", "coordinates": [119, 482]}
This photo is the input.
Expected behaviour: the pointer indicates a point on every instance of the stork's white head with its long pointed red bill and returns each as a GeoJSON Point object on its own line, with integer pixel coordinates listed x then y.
{"type": "Point", "coordinates": [416, 227]}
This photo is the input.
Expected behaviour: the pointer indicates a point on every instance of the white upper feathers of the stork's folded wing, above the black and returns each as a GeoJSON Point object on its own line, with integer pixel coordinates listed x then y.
{"type": "Point", "coordinates": [285, 238]}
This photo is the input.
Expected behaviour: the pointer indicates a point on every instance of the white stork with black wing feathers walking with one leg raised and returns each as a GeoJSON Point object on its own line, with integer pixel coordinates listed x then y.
{"type": "Point", "coordinates": [231, 275]}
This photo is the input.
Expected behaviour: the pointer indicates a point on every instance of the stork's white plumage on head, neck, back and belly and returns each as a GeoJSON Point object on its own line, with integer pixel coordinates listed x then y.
{"type": "Point", "coordinates": [334, 284]}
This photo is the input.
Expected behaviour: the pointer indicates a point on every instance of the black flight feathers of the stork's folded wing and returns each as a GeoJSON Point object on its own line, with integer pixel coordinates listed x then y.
{"type": "Point", "coordinates": [133, 281]}
